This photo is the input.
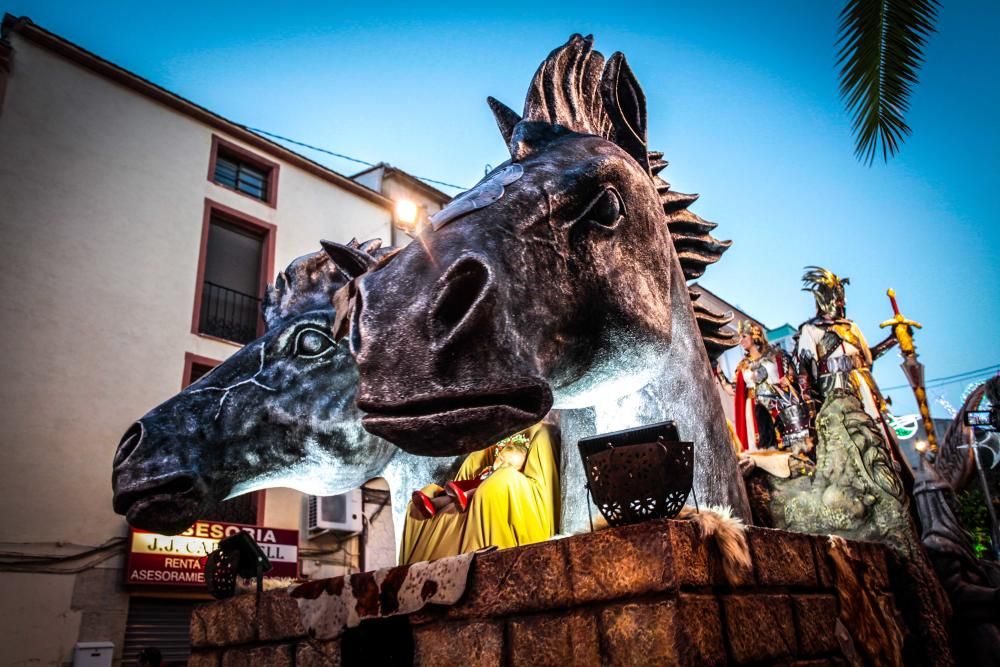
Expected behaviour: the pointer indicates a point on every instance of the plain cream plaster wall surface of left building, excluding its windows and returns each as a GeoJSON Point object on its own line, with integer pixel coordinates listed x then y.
{"type": "Point", "coordinates": [102, 195]}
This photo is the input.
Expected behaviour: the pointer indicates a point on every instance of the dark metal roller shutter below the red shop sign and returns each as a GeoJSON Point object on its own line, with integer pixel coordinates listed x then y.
{"type": "Point", "coordinates": [164, 624]}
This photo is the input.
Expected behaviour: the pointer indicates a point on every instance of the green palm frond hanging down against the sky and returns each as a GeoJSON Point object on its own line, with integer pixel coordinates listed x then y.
{"type": "Point", "coordinates": [881, 49]}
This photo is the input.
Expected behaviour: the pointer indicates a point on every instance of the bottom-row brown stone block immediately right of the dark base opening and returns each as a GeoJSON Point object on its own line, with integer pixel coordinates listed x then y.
{"type": "Point", "coordinates": [470, 644]}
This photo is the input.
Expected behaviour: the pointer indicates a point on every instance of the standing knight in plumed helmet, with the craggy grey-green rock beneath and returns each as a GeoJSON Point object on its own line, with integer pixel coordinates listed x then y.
{"type": "Point", "coordinates": [860, 486]}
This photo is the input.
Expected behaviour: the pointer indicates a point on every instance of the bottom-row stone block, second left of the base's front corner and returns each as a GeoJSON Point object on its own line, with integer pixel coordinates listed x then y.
{"type": "Point", "coordinates": [557, 640]}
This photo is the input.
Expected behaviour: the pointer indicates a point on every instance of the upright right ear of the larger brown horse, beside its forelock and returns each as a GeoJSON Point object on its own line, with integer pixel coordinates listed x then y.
{"type": "Point", "coordinates": [625, 104]}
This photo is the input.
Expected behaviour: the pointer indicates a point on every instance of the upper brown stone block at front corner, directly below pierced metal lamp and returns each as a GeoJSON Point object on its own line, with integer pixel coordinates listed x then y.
{"type": "Point", "coordinates": [621, 562]}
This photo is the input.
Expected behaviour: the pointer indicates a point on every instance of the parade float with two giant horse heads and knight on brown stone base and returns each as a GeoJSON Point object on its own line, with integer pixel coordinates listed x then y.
{"type": "Point", "coordinates": [555, 288]}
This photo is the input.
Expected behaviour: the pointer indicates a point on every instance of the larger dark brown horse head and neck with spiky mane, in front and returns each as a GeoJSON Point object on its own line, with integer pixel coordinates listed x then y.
{"type": "Point", "coordinates": [560, 280]}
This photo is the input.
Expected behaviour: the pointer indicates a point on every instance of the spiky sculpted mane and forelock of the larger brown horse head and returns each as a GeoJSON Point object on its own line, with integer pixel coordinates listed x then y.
{"type": "Point", "coordinates": [572, 88]}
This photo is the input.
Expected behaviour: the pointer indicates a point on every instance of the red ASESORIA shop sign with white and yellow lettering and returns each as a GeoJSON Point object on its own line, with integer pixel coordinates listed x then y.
{"type": "Point", "coordinates": [179, 560]}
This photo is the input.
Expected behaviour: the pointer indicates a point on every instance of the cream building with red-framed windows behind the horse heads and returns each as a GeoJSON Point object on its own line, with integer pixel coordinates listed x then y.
{"type": "Point", "coordinates": [139, 232]}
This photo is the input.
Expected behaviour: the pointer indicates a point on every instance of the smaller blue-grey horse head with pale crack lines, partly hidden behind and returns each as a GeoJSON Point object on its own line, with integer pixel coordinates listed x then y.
{"type": "Point", "coordinates": [279, 412]}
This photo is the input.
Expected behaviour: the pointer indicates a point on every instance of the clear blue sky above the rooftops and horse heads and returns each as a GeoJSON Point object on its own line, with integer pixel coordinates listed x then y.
{"type": "Point", "coordinates": [742, 99]}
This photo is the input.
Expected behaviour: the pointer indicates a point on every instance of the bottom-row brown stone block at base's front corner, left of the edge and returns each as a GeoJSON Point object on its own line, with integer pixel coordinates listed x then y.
{"type": "Point", "coordinates": [640, 633]}
